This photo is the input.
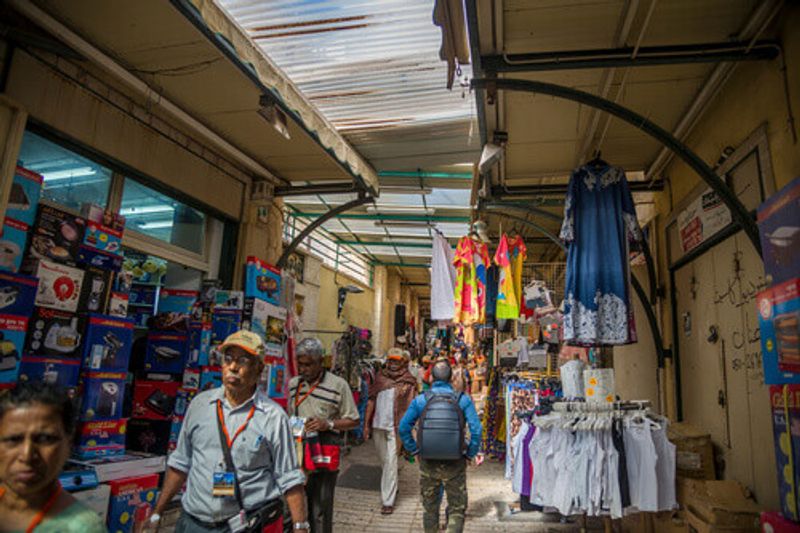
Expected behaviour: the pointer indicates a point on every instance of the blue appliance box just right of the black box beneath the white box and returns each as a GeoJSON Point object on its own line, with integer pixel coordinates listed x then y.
{"type": "Point", "coordinates": [107, 343]}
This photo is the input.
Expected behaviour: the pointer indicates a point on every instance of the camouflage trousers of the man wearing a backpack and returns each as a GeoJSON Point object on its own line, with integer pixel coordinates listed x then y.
{"type": "Point", "coordinates": [452, 477]}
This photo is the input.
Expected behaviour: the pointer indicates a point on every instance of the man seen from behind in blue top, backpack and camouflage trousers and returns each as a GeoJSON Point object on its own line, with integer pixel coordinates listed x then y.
{"type": "Point", "coordinates": [441, 416]}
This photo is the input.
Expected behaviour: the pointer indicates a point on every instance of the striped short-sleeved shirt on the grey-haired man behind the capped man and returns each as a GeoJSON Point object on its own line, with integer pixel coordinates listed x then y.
{"type": "Point", "coordinates": [330, 400]}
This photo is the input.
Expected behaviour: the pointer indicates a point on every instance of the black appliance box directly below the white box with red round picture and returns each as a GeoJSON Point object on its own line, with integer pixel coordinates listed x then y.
{"type": "Point", "coordinates": [53, 332]}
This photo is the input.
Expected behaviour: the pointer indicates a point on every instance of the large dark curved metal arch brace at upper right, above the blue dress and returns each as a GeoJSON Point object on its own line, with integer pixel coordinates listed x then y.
{"type": "Point", "coordinates": [738, 211]}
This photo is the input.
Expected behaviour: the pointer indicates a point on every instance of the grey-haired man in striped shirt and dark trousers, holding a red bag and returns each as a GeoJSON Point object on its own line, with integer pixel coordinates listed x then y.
{"type": "Point", "coordinates": [326, 403]}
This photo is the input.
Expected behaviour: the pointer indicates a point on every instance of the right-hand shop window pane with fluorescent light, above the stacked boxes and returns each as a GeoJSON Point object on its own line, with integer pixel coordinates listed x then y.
{"type": "Point", "coordinates": [157, 215]}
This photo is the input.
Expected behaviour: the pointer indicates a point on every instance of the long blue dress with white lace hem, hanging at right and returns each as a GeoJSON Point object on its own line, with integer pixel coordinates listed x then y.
{"type": "Point", "coordinates": [599, 223]}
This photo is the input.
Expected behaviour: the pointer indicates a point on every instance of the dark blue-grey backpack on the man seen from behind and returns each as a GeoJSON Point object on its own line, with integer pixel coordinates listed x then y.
{"type": "Point", "coordinates": [440, 434]}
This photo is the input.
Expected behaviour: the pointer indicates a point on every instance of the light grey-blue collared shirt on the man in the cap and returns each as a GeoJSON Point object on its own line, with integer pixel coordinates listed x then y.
{"type": "Point", "coordinates": [263, 454]}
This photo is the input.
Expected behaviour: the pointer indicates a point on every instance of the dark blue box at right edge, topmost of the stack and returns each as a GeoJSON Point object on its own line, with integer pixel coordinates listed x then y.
{"type": "Point", "coordinates": [779, 227]}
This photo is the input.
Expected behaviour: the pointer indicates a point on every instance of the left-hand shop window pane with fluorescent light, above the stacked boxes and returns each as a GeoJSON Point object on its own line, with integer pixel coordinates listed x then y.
{"type": "Point", "coordinates": [70, 180]}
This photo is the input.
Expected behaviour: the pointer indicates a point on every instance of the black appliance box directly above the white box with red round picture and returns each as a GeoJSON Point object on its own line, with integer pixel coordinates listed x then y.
{"type": "Point", "coordinates": [56, 235]}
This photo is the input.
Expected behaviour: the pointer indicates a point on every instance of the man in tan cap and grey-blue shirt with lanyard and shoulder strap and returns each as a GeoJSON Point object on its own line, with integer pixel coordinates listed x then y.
{"type": "Point", "coordinates": [260, 440]}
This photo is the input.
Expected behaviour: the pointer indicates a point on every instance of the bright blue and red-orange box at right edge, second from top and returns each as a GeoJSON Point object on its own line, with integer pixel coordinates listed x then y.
{"type": "Point", "coordinates": [779, 321]}
